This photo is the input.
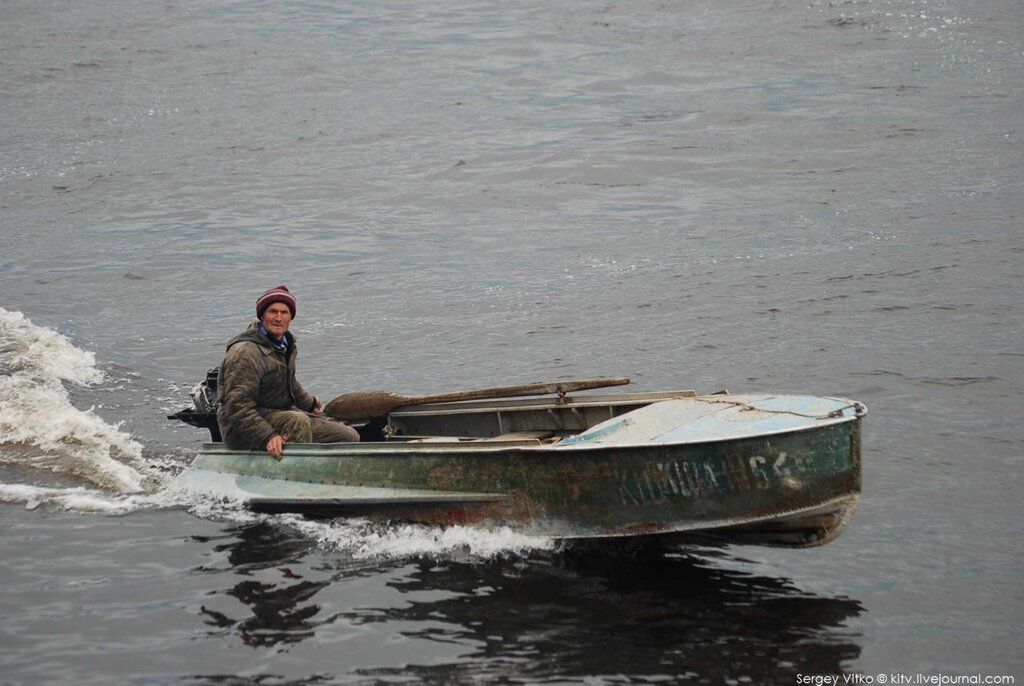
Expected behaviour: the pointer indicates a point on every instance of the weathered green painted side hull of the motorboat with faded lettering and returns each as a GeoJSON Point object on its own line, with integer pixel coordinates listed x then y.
{"type": "Point", "coordinates": [795, 489]}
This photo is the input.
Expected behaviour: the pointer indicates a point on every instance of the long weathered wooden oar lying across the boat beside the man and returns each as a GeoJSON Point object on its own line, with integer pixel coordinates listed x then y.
{"type": "Point", "coordinates": [367, 405]}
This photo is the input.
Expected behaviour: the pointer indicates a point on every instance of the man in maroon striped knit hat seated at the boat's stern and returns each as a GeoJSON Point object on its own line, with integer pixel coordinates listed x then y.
{"type": "Point", "coordinates": [261, 404]}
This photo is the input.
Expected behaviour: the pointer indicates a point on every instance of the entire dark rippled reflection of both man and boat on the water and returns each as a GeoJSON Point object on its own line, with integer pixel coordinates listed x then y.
{"type": "Point", "coordinates": [552, 615]}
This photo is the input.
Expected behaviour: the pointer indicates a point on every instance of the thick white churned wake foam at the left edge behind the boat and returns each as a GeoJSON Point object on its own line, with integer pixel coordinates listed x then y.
{"type": "Point", "coordinates": [35, 410]}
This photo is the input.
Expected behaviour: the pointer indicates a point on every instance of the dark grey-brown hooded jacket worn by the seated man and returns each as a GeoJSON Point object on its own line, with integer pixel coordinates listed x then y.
{"type": "Point", "coordinates": [254, 376]}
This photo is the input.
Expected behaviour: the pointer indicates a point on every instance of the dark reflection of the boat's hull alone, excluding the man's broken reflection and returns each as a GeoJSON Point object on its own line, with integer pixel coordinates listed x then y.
{"type": "Point", "coordinates": [667, 616]}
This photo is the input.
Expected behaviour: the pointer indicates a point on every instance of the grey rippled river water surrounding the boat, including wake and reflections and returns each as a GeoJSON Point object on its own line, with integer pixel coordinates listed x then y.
{"type": "Point", "coordinates": [806, 197]}
